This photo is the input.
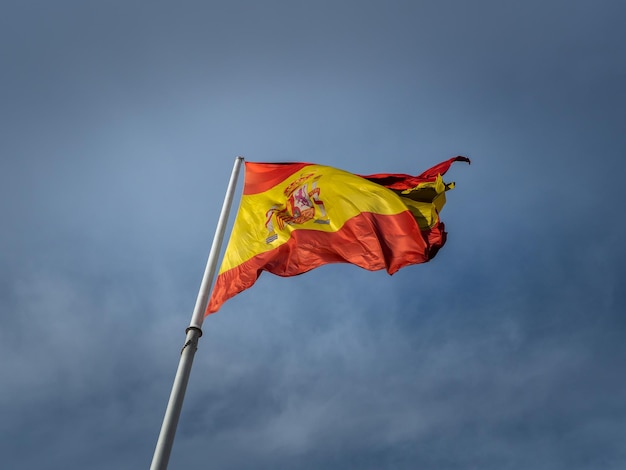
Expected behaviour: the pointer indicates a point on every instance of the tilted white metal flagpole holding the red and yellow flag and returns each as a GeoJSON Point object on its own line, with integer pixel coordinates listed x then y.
{"type": "Point", "coordinates": [174, 406]}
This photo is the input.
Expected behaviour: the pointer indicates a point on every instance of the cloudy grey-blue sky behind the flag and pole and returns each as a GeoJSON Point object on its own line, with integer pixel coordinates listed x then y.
{"type": "Point", "coordinates": [119, 125]}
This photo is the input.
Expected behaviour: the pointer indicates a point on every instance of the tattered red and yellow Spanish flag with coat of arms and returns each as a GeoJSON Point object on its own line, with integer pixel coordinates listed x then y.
{"type": "Point", "coordinates": [294, 217]}
